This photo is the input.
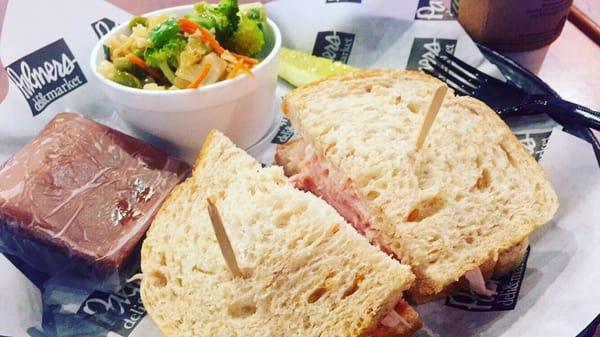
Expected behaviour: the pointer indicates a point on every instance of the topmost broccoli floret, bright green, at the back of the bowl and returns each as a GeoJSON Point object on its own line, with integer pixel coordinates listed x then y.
{"type": "Point", "coordinates": [223, 17]}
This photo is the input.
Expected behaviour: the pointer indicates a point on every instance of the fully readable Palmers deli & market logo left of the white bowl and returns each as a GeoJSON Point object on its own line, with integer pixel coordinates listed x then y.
{"type": "Point", "coordinates": [46, 75]}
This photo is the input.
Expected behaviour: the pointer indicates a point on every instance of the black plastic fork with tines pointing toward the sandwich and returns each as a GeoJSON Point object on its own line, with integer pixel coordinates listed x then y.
{"type": "Point", "coordinates": [505, 98]}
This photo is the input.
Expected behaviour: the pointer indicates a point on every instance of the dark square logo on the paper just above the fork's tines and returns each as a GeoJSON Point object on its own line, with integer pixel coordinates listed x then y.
{"type": "Point", "coordinates": [425, 50]}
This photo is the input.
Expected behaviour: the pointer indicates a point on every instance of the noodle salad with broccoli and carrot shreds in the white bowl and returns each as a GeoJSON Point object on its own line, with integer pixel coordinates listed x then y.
{"type": "Point", "coordinates": [211, 44]}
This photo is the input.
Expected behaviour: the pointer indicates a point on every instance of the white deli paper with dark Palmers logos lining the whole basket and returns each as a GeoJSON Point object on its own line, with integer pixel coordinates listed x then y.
{"type": "Point", "coordinates": [555, 292]}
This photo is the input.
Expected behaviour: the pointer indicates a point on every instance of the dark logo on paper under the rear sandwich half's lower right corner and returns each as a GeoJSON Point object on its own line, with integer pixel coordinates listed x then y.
{"type": "Point", "coordinates": [507, 289]}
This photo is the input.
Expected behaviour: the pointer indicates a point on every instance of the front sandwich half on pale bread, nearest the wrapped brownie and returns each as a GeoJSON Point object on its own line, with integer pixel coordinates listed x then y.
{"type": "Point", "coordinates": [307, 272]}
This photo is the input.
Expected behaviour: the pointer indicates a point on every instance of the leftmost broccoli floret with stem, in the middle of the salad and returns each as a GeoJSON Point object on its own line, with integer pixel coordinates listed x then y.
{"type": "Point", "coordinates": [166, 57]}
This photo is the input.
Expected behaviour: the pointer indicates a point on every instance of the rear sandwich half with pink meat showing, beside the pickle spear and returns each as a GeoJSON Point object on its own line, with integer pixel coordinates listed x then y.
{"type": "Point", "coordinates": [456, 211]}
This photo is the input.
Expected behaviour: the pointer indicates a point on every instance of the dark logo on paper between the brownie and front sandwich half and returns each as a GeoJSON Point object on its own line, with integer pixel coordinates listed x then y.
{"type": "Point", "coordinates": [119, 312]}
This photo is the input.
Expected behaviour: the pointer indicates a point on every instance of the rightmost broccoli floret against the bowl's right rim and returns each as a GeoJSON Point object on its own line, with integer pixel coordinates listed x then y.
{"type": "Point", "coordinates": [248, 39]}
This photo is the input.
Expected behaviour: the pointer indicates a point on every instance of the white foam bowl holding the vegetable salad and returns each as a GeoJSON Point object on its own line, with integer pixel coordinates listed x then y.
{"type": "Point", "coordinates": [180, 119]}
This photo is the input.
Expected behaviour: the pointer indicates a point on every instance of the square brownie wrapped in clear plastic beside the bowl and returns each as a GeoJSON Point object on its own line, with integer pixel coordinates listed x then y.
{"type": "Point", "coordinates": [81, 191]}
